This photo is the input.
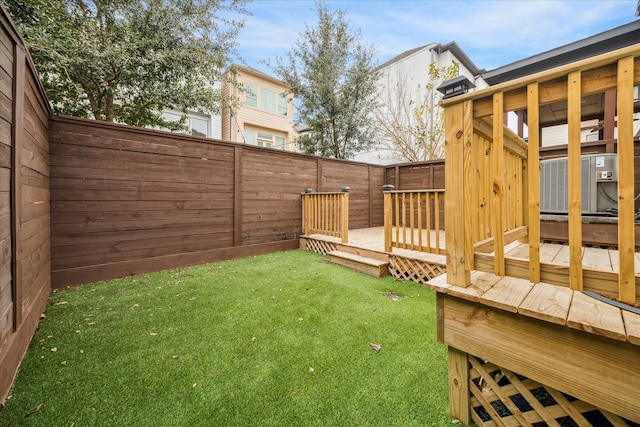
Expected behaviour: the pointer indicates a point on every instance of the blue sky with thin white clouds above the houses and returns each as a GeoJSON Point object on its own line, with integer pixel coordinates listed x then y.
{"type": "Point", "coordinates": [491, 33]}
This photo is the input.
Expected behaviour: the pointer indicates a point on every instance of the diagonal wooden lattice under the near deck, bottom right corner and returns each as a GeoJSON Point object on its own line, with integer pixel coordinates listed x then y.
{"type": "Point", "coordinates": [503, 398]}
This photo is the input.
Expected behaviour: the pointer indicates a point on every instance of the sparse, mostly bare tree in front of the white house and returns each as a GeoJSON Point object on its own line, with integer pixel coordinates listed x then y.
{"type": "Point", "coordinates": [411, 118]}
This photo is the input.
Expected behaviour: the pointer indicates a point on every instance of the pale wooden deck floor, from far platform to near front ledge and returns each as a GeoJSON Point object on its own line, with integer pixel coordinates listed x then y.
{"type": "Point", "coordinates": [551, 303]}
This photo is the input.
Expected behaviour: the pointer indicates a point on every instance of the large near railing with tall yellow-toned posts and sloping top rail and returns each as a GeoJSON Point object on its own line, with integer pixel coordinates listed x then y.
{"type": "Point", "coordinates": [504, 179]}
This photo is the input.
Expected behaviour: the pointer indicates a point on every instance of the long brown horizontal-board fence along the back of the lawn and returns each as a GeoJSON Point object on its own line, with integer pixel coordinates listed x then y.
{"type": "Point", "coordinates": [129, 200]}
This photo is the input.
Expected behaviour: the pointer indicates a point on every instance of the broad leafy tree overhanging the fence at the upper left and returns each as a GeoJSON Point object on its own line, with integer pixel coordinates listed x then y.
{"type": "Point", "coordinates": [127, 60]}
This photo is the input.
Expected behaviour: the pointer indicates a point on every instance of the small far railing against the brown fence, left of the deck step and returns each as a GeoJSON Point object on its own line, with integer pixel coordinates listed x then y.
{"type": "Point", "coordinates": [326, 214]}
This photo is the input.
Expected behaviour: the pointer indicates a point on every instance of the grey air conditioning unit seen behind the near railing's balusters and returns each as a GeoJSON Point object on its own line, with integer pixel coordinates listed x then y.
{"type": "Point", "coordinates": [599, 184]}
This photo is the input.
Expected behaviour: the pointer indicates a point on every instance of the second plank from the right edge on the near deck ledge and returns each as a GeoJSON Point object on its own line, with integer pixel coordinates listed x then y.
{"type": "Point", "coordinates": [596, 317]}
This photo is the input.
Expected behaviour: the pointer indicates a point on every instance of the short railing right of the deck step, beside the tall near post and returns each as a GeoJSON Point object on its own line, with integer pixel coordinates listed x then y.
{"type": "Point", "coordinates": [413, 220]}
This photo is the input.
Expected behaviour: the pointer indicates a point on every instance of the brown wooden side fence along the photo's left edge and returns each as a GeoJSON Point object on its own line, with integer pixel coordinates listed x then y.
{"type": "Point", "coordinates": [25, 264]}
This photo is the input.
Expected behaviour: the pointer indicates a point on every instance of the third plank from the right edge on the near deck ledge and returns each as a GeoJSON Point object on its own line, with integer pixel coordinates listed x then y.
{"type": "Point", "coordinates": [547, 302]}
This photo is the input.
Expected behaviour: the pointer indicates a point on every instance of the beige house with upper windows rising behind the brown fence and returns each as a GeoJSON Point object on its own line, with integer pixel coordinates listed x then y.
{"type": "Point", "coordinates": [263, 114]}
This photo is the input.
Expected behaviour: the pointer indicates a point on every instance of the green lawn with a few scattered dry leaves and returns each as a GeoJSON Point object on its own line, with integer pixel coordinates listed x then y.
{"type": "Point", "coordinates": [274, 340]}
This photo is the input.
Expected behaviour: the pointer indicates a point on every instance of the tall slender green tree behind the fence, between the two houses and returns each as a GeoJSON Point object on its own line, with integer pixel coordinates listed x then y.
{"type": "Point", "coordinates": [332, 75]}
